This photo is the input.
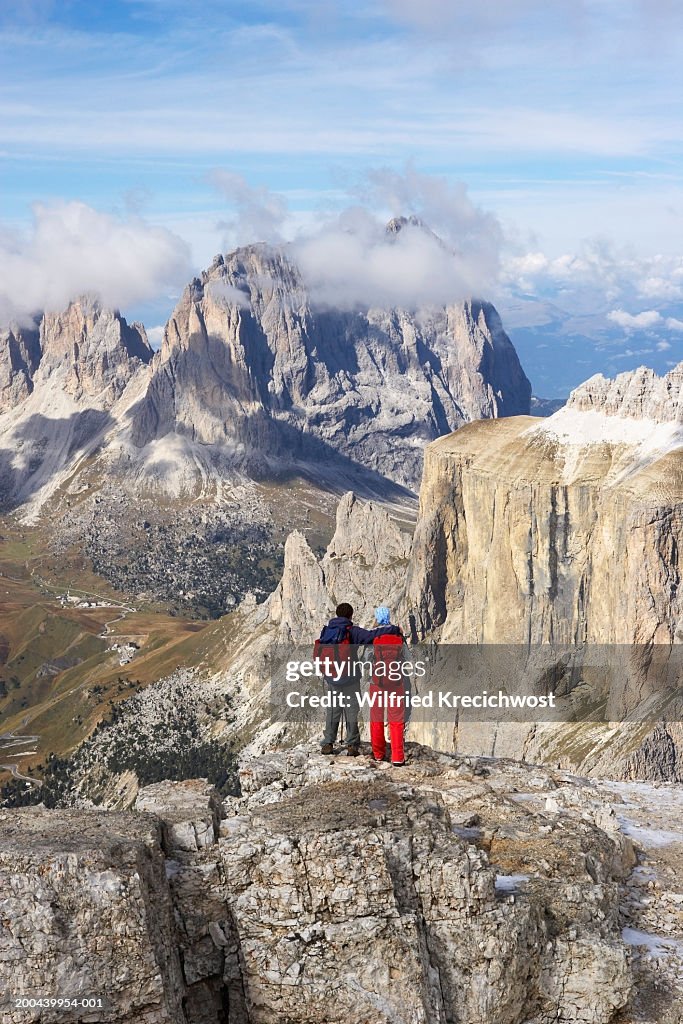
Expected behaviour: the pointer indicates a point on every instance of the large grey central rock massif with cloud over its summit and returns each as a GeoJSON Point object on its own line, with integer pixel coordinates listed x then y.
{"type": "Point", "coordinates": [250, 365]}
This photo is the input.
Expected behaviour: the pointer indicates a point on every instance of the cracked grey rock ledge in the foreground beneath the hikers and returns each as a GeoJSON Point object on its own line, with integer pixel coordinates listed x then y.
{"type": "Point", "coordinates": [460, 889]}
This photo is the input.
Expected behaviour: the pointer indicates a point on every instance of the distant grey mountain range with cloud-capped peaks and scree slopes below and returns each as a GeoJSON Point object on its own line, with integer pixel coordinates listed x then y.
{"type": "Point", "coordinates": [259, 411]}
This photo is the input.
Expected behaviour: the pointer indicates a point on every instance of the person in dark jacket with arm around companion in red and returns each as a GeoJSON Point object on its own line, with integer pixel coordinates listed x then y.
{"type": "Point", "coordinates": [341, 630]}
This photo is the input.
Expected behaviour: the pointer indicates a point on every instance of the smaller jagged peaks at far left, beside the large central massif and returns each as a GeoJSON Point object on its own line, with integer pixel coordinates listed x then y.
{"type": "Point", "coordinates": [67, 390]}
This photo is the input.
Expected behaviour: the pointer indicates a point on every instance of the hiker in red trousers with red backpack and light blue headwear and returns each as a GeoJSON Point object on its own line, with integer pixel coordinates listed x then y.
{"type": "Point", "coordinates": [388, 694]}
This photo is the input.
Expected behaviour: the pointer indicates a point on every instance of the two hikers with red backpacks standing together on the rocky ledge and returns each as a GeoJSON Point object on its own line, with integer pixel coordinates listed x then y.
{"type": "Point", "coordinates": [338, 643]}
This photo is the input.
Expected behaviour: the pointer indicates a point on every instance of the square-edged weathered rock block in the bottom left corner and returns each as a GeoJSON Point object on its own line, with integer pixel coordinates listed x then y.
{"type": "Point", "coordinates": [87, 914]}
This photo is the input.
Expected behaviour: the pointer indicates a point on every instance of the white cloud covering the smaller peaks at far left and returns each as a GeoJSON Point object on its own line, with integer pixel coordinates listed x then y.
{"type": "Point", "coordinates": [73, 249]}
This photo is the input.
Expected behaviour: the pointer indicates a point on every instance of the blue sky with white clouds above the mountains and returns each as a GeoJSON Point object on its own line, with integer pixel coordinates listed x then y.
{"type": "Point", "coordinates": [541, 142]}
